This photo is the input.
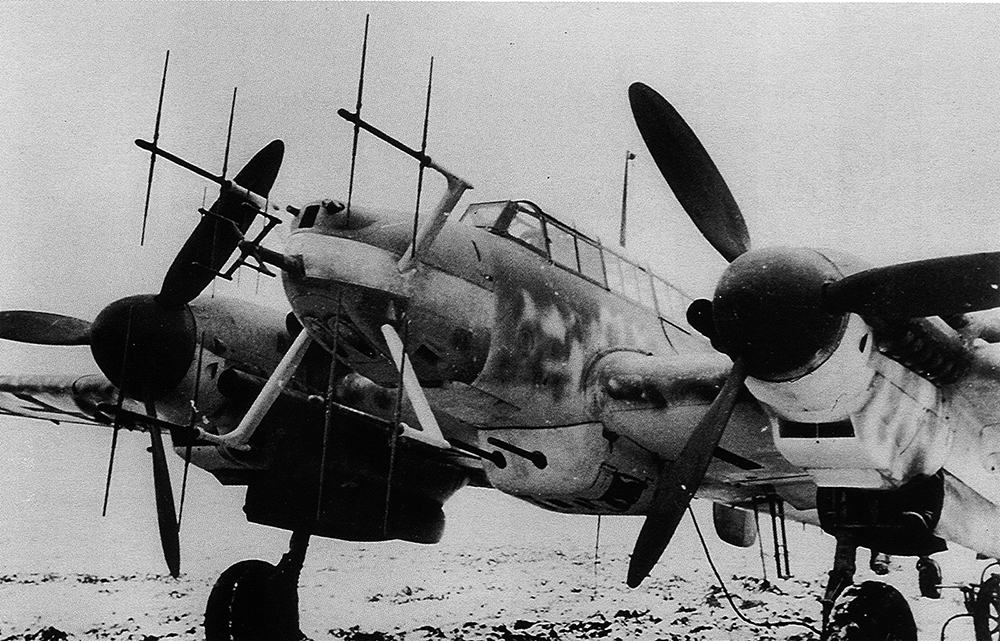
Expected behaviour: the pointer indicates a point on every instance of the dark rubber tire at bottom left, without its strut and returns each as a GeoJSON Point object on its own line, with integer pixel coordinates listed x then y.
{"type": "Point", "coordinates": [237, 605]}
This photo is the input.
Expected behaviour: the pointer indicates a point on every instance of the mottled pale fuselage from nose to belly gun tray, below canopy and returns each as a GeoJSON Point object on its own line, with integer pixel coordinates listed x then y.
{"type": "Point", "coordinates": [493, 315]}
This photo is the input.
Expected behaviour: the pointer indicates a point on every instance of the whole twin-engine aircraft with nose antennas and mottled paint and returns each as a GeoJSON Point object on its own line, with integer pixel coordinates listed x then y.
{"type": "Point", "coordinates": [503, 348]}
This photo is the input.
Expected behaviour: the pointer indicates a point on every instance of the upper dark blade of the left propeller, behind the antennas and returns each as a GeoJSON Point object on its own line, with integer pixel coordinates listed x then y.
{"type": "Point", "coordinates": [217, 235]}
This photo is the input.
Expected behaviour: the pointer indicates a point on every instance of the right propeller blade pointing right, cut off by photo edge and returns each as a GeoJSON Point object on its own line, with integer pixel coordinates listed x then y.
{"type": "Point", "coordinates": [934, 287]}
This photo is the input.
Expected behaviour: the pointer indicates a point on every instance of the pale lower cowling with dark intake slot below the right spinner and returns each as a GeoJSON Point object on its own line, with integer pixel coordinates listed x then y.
{"type": "Point", "coordinates": [860, 419]}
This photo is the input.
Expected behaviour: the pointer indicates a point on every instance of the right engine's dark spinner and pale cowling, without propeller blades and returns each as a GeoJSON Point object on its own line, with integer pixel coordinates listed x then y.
{"type": "Point", "coordinates": [839, 407]}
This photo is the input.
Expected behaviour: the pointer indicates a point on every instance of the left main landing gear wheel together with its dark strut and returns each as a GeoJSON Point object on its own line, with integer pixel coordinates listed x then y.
{"type": "Point", "coordinates": [257, 601]}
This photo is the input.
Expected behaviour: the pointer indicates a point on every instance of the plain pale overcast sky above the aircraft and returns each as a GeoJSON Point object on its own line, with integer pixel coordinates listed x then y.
{"type": "Point", "coordinates": [870, 128]}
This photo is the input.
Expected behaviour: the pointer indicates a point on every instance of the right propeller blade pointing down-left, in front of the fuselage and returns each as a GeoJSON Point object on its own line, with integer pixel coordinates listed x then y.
{"type": "Point", "coordinates": [678, 485]}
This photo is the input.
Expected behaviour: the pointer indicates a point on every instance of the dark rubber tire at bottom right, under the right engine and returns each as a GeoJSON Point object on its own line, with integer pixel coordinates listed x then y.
{"type": "Point", "coordinates": [872, 611]}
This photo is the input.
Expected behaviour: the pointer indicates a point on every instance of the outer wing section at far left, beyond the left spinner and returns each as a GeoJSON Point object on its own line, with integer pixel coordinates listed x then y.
{"type": "Point", "coordinates": [60, 398]}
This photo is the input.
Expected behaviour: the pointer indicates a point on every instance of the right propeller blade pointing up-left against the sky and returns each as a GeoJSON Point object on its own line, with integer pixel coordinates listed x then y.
{"type": "Point", "coordinates": [690, 172]}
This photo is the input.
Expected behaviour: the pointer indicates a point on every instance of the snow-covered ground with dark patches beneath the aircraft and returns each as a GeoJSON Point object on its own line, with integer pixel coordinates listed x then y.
{"type": "Point", "coordinates": [504, 570]}
